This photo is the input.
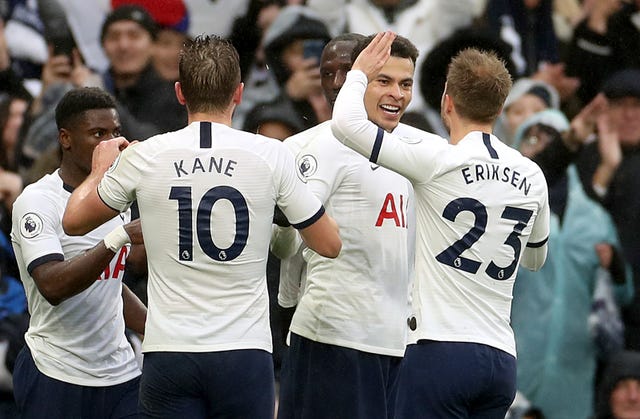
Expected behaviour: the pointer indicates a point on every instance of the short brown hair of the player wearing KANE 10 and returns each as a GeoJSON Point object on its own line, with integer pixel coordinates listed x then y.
{"type": "Point", "coordinates": [209, 73]}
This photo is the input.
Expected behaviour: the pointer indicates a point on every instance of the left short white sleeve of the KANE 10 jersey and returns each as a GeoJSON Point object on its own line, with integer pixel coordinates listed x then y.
{"type": "Point", "coordinates": [117, 187]}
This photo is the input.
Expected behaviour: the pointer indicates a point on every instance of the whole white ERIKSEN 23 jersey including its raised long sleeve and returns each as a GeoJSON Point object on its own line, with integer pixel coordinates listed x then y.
{"type": "Point", "coordinates": [479, 206]}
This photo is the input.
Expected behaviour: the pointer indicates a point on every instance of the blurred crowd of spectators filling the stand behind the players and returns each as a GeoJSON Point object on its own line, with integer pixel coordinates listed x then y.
{"type": "Point", "coordinates": [574, 109]}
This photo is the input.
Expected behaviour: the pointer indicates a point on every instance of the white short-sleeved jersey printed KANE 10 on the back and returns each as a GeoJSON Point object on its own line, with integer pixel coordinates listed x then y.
{"type": "Point", "coordinates": [206, 195]}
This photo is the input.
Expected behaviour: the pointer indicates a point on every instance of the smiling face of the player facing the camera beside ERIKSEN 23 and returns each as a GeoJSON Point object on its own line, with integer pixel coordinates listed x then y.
{"type": "Point", "coordinates": [389, 93]}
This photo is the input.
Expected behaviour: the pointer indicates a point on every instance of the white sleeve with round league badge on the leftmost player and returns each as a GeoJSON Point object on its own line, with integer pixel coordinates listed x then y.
{"type": "Point", "coordinates": [36, 227]}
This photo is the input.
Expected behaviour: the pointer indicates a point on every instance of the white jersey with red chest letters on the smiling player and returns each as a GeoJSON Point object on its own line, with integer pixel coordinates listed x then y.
{"type": "Point", "coordinates": [360, 299]}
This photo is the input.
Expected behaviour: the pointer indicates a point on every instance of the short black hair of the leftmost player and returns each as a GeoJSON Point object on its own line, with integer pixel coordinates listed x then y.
{"type": "Point", "coordinates": [77, 101]}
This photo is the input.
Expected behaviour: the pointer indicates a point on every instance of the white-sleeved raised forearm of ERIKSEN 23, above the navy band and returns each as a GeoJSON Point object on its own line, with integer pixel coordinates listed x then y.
{"type": "Point", "coordinates": [350, 124]}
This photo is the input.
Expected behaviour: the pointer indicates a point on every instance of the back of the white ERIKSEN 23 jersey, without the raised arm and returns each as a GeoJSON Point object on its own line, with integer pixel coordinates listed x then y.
{"type": "Point", "coordinates": [483, 198]}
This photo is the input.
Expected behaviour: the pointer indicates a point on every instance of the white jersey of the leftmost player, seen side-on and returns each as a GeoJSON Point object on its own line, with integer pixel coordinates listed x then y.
{"type": "Point", "coordinates": [81, 340]}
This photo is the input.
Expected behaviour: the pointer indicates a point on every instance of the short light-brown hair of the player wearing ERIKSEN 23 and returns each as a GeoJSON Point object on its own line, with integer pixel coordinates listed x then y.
{"type": "Point", "coordinates": [478, 82]}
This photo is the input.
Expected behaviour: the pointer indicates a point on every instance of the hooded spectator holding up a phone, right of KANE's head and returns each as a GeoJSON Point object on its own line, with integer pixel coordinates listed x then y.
{"type": "Point", "coordinates": [297, 75]}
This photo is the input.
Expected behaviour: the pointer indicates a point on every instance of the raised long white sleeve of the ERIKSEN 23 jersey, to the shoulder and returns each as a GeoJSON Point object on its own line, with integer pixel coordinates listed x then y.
{"type": "Point", "coordinates": [415, 157]}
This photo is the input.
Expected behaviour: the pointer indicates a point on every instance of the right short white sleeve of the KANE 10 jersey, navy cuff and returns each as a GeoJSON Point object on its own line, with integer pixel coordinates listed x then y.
{"type": "Point", "coordinates": [301, 207]}
